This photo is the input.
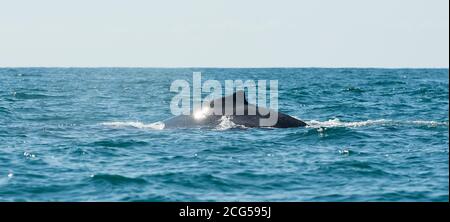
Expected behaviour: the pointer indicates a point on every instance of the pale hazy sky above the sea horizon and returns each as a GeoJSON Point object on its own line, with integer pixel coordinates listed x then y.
{"type": "Point", "coordinates": [225, 33]}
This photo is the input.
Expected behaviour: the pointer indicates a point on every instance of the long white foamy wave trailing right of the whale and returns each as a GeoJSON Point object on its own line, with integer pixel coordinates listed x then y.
{"type": "Point", "coordinates": [380, 122]}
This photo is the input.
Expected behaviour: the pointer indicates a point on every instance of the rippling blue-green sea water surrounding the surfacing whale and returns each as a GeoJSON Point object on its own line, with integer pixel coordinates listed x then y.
{"type": "Point", "coordinates": [81, 134]}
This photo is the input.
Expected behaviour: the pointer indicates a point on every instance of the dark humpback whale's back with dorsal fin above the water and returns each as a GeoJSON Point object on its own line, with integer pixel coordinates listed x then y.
{"type": "Point", "coordinates": [238, 110]}
